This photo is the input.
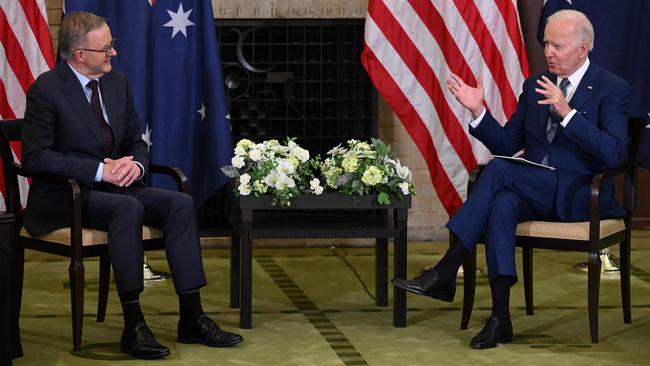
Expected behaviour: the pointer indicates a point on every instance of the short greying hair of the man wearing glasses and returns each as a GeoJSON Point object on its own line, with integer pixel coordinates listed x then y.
{"type": "Point", "coordinates": [74, 27]}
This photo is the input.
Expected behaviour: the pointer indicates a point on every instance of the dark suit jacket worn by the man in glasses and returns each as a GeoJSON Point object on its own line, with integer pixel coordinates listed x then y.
{"type": "Point", "coordinates": [61, 135]}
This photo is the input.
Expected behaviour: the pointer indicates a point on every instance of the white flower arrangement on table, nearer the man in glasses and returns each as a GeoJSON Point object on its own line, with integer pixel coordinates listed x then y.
{"type": "Point", "coordinates": [283, 171]}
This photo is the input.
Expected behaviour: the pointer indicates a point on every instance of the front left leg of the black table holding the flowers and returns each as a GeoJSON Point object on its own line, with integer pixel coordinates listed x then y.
{"type": "Point", "coordinates": [246, 270]}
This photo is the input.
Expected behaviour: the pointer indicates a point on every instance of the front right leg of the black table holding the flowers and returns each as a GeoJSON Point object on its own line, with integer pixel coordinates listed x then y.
{"type": "Point", "coordinates": [400, 217]}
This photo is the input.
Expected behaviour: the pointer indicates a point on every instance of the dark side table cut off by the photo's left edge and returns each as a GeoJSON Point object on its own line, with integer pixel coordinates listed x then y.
{"type": "Point", "coordinates": [10, 346]}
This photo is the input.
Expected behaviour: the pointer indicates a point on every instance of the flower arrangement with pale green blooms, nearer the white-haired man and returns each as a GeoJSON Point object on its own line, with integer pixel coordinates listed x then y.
{"type": "Point", "coordinates": [362, 169]}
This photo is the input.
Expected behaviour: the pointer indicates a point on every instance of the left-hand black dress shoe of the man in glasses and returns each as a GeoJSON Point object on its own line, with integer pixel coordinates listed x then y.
{"type": "Point", "coordinates": [139, 342]}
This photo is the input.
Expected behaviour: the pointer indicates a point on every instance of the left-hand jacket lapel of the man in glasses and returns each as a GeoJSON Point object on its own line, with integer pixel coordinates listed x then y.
{"type": "Point", "coordinates": [73, 91]}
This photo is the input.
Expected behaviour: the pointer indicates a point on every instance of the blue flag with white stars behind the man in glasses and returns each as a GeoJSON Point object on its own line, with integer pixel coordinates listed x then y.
{"type": "Point", "coordinates": [168, 50]}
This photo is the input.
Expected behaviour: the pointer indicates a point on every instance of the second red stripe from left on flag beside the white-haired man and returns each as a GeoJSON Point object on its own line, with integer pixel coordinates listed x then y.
{"type": "Point", "coordinates": [427, 79]}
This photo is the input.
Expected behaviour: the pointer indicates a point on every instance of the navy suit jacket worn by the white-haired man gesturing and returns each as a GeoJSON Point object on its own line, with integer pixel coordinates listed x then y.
{"type": "Point", "coordinates": [594, 139]}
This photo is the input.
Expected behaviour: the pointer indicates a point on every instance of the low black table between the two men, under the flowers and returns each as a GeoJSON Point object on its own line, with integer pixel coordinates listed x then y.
{"type": "Point", "coordinates": [330, 215]}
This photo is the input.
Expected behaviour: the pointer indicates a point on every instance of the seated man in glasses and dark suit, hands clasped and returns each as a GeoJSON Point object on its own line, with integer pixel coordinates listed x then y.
{"type": "Point", "coordinates": [81, 122]}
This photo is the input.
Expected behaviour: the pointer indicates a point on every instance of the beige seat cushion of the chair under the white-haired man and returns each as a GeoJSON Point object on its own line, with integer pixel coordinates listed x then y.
{"type": "Point", "coordinates": [567, 230]}
